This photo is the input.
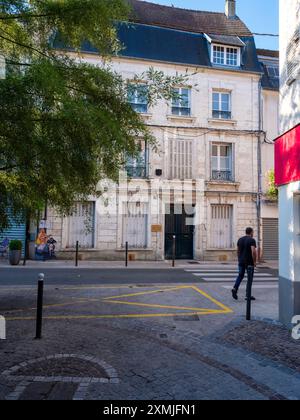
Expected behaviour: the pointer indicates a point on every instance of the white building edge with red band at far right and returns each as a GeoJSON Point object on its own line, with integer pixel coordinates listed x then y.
{"type": "Point", "coordinates": [287, 160]}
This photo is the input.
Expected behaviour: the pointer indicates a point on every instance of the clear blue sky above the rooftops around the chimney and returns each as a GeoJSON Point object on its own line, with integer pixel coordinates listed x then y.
{"type": "Point", "coordinates": [261, 16]}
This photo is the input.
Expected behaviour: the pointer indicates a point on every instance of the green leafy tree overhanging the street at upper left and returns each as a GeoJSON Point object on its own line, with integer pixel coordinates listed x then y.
{"type": "Point", "coordinates": [64, 124]}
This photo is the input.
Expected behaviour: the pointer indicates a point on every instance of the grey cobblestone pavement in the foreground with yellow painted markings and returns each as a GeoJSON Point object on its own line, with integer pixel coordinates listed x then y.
{"type": "Point", "coordinates": [155, 342]}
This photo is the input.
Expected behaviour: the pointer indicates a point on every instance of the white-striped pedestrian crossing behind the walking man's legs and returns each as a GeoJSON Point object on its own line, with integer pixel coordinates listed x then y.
{"type": "Point", "coordinates": [228, 274]}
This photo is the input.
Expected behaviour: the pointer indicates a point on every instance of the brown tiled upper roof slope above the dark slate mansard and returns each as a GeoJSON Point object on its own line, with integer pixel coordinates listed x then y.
{"type": "Point", "coordinates": [187, 20]}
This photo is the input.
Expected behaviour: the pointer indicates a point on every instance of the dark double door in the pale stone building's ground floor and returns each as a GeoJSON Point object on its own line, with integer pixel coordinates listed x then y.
{"type": "Point", "coordinates": [178, 223]}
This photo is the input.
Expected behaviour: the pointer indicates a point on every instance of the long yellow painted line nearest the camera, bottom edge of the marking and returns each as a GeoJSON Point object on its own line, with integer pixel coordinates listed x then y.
{"type": "Point", "coordinates": [87, 317]}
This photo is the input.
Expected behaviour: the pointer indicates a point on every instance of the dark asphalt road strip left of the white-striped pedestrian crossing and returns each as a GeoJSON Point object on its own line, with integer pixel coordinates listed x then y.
{"type": "Point", "coordinates": [28, 276]}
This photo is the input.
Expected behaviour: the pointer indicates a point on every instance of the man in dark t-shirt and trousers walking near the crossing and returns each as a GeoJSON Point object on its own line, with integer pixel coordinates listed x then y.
{"type": "Point", "coordinates": [247, 260]}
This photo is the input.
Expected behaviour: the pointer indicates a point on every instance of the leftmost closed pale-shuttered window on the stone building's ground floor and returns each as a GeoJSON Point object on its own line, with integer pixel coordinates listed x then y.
{"type": "Point", "coordinates": [81, 225]}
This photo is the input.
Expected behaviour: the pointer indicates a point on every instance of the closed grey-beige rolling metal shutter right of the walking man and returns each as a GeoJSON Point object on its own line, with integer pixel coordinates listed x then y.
{"type": "Point", "coordinates": [270, 239]}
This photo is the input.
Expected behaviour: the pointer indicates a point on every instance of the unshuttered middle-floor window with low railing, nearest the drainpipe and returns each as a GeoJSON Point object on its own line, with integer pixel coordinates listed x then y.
{"type": "Point", "coordinates": [221, 162]}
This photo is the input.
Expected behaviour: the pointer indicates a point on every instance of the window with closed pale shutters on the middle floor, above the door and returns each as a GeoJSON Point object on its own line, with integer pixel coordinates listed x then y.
{"type": "Point", "coordinates": [180, 159]}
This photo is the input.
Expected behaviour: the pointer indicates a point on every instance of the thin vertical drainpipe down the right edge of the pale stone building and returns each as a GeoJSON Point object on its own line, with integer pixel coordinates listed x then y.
{"type": "Point", "coordinates": [259, 169]}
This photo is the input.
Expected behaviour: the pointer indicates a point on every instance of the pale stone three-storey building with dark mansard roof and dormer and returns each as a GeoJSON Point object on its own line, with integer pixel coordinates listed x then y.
{"type": "Point", "coordinates": [205, 181]}
